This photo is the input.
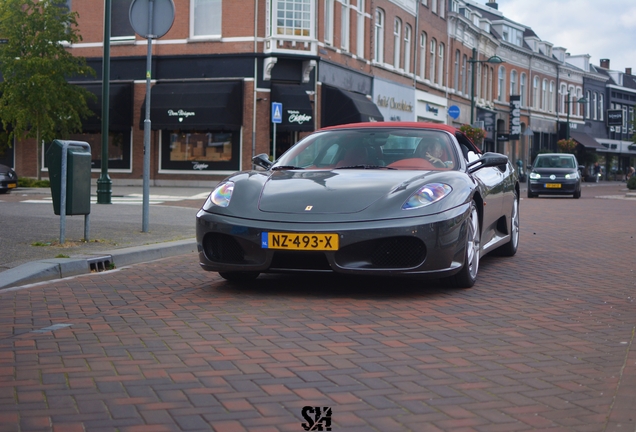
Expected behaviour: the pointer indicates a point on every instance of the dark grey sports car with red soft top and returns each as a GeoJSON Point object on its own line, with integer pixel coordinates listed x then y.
{"type": "Point", "coordinates": [399, 199]}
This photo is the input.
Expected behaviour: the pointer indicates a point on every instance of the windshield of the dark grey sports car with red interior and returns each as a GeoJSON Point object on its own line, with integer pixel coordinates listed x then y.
{"type": "Point", "coordinates": [373, 148]}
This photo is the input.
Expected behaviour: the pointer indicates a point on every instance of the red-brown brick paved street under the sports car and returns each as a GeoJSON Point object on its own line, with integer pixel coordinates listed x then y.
{"type": "Point", "coordinates": [545, 340]}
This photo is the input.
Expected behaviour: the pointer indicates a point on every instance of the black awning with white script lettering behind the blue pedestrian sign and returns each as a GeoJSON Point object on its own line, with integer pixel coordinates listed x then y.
{"type": "Point", "coordinates": [298, 114]}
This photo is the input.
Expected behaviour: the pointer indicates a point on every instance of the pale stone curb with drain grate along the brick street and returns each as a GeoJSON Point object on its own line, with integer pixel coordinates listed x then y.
{"type": "Point", "coordinates": [58, 268]}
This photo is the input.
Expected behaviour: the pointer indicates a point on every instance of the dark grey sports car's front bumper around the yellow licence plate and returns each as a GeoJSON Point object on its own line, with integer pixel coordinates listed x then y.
{"type": "Point", "coordinates": [427, 245]}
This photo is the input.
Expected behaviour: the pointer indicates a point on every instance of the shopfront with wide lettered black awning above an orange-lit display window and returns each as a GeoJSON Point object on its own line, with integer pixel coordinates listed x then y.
{"type": "Point", "coordinates": [200, 124]}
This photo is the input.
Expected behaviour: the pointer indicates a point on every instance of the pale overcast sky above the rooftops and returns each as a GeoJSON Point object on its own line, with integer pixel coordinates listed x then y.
{"type": "Point", "coordinates": [600, 28]}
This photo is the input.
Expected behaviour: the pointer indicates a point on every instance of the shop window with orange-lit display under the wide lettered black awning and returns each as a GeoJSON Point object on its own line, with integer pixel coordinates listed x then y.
{"type": "Point", "coordinates": [200, 150]}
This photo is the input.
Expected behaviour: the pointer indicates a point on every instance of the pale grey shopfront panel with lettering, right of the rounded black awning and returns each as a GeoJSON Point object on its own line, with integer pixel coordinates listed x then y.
{"type": "Point", "coordinates": [395, 102]}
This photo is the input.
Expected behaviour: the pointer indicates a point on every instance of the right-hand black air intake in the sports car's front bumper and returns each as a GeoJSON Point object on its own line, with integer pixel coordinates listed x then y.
{"type": "Point", "coordinates": [389, 253]}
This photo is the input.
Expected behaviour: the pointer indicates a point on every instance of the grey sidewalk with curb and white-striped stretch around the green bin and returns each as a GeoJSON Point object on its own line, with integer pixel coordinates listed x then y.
{"type": "Point", "coordinates": [31, 232]}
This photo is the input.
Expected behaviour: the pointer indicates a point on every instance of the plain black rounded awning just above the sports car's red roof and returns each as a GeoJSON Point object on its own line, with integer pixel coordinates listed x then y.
{"type": "Point", "coordinates": [342, 106]}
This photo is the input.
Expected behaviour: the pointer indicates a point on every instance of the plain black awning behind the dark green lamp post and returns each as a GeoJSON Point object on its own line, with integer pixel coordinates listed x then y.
{"type": "Point", "coordinates": [120, 107]}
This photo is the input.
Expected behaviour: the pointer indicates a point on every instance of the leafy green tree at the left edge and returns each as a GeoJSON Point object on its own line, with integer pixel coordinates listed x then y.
{"type": "Point", "coordinates": [36, 99]}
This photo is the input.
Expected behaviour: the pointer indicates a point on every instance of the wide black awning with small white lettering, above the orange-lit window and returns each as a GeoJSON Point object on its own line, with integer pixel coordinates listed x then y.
{"type": "Point", "coordinates": [202, 105]}
